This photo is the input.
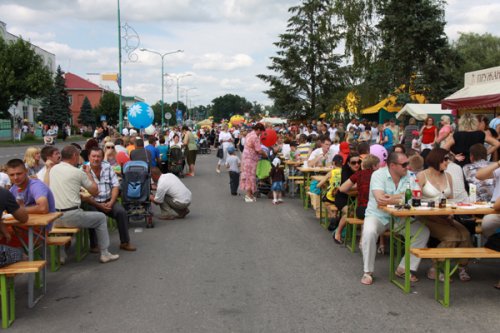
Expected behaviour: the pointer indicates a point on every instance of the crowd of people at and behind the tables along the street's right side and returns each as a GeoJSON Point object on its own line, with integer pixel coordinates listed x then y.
{"type": "Point", "coordinates": [444, 161]}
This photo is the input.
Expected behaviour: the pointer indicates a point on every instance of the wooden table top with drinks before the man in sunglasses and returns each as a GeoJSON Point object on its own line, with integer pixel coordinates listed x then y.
{"type": "Point", "coordinates": [428, 211]}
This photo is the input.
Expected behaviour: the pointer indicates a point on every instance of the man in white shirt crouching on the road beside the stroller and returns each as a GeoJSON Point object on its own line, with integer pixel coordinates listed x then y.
{"type": "Point", "coordinates": [172, 195]}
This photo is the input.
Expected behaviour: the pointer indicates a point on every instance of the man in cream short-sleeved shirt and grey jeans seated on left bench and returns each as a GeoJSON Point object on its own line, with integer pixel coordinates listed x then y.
{"type": "Point", "coordinates": [65, 182]}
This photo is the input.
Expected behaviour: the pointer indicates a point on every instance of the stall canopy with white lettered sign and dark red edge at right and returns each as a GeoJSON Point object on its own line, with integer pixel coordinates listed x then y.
{"type": "Point", "coordinates": [482, 90]}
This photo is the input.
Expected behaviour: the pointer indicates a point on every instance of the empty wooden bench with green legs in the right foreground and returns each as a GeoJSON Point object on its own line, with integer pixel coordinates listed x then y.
{"type": "Point", "coordinates": [444, 256]}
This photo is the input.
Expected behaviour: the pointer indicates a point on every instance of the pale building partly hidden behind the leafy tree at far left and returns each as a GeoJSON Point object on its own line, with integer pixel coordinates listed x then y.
{"type": "Point", "coordinates": [28, 109]}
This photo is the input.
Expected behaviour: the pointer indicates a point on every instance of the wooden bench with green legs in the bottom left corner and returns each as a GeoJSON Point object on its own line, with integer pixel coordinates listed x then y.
{"type": "Point", "coordinates": [7, 293]}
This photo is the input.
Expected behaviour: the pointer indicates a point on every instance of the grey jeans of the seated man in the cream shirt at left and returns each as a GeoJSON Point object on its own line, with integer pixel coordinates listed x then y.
{"type": "Point", "coordinates": [92, 220]}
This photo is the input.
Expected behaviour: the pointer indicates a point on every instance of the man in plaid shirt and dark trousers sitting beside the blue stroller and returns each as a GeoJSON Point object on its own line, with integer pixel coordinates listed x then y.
{"type": "Point", "coordinates": [106, 200]}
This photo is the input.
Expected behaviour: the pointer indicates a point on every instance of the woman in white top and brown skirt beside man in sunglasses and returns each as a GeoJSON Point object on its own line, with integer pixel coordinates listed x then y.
{"type": "Point", "coordinates": [435, 182]}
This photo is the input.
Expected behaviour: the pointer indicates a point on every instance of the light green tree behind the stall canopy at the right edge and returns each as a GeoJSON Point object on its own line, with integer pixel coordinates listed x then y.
{"type": "Point", "coordinates": [475, 52]}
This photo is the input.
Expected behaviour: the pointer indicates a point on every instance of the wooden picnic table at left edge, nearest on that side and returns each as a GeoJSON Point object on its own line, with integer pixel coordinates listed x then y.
{"type": "Point", "coordinates": [38, 237]}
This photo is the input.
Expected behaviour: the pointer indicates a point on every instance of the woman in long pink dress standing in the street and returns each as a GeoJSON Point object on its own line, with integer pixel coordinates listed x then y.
{"type": "Point", "coordinates": [249, 159]}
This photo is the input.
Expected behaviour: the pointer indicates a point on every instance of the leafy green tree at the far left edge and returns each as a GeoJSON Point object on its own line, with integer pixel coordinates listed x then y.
{"type": "Point", "coordinates": [22, 75]}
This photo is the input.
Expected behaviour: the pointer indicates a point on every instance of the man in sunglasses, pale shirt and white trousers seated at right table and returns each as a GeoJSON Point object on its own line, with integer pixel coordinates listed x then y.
{"type": "Point", "coordinates": [387, 187]}
